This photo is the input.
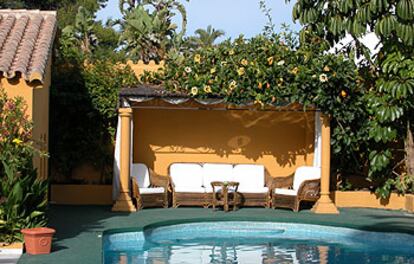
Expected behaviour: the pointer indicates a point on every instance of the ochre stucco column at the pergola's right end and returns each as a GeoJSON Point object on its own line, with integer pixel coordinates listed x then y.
{"type": "Point", "coordinates": [325, 205]}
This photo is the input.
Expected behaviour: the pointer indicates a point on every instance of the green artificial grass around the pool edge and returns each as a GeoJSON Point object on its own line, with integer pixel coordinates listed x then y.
{"type": "Point", "coordinates": [80, 228]}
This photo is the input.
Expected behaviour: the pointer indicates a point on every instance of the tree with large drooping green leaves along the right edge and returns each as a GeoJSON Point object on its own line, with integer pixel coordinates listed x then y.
{"type": "Point", "coordinates": [389, 76]}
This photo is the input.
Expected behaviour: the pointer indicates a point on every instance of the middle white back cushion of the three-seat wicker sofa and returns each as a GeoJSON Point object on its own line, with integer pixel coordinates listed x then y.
{"type": "Point", "coordinates": [216, 172]}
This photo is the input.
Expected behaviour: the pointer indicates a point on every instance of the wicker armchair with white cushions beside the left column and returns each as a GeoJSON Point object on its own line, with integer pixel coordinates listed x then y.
{"type": "Point", "coordinates": [148, 188]}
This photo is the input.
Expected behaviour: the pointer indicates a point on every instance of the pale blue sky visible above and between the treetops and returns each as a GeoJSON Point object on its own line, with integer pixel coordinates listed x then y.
{"type": "Point", "coordinates": [235, 17]}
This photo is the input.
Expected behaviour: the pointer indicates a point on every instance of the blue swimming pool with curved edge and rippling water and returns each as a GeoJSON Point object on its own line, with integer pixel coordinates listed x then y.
{"type": "Point", "coordinates": [256, 242]}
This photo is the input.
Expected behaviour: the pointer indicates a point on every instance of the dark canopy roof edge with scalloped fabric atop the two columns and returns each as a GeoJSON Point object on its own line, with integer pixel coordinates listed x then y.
{"type": "Point", "coordinates": [151, 96]}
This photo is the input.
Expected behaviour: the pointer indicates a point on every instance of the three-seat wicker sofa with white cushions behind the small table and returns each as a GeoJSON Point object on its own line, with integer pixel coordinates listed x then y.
{"type": "Point", "coordinates": [191, 183]}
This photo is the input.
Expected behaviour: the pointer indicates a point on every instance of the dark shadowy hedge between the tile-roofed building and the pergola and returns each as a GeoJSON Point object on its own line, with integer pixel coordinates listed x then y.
{"type": "Point", "coordinates": [86, 96]}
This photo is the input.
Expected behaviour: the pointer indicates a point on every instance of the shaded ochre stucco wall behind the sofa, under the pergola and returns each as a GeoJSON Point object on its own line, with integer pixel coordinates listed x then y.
{"type": "Point", "coordinates": [281, 141]}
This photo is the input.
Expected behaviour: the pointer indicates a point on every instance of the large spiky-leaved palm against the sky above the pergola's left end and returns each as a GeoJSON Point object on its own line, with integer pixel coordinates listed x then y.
{"type": "Point", "coordinates": [148, 32]}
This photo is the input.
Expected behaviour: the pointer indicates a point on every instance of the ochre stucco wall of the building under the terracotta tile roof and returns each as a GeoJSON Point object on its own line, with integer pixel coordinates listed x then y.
{"type": "Point", "coordinates": [36, 96]}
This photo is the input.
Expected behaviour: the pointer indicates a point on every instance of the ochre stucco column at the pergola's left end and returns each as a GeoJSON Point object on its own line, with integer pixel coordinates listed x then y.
{"type": "Point", "coordinates": [124, 202]}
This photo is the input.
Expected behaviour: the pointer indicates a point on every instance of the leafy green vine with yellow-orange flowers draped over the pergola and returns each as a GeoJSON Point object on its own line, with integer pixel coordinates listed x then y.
{"type": "Point", "coordinates": [275, 71]}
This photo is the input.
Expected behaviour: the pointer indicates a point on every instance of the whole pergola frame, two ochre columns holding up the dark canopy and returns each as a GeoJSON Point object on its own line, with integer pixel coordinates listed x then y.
{"type": "Point", "coordinates": [156, 97]}
